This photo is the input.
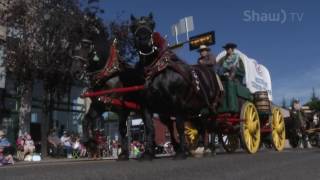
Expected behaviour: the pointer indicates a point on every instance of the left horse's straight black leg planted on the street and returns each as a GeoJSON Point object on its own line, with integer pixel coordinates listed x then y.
{"type": "Point", "coordinates": [124, 155]}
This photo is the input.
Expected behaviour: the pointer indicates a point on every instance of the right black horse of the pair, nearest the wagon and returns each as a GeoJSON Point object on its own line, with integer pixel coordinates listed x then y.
{"type": "Point", "coordinates": [173, 88]}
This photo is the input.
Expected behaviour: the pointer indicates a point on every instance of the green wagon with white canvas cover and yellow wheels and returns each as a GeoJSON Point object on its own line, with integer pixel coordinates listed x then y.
{"type": "Point", "coordinates": [246, 114]}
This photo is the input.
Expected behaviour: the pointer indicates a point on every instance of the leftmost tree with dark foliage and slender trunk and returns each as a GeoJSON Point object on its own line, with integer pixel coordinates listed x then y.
{"type": "Point", "coordinates": [20, 51]}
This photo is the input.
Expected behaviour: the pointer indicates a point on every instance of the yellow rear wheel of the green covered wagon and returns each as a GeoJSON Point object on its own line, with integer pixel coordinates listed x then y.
{"type": "Point", "coordinates": [278, 129]}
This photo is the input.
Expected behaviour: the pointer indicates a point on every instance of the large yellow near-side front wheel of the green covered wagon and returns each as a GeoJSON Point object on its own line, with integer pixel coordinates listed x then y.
{"type": "Point", "coordinates": [250, 127]}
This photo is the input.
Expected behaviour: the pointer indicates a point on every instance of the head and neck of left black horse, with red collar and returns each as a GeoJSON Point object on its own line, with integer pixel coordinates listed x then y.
{"type": "Point", "coordinates": [96, 56]}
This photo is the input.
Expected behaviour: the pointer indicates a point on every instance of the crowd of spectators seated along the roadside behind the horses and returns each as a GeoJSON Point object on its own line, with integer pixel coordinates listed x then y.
{"type": "Point", "coordinates": [69, 145]}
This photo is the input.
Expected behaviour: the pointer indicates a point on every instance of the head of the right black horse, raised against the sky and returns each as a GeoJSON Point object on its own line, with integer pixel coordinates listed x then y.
{"type": "Point", "coordinates": [142, 29]}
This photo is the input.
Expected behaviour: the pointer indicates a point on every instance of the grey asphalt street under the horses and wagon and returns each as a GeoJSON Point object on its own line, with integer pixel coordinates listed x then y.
{"type": "Point", "coordinates": [267, 164]}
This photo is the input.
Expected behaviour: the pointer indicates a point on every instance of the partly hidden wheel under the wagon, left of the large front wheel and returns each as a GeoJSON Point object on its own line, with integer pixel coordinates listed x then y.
{"type": "Point", "coordinates": [230, 142]}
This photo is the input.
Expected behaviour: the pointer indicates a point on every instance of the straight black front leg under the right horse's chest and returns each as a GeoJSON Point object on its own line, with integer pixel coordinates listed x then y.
{"type": "Point", "coordinates": [149, 132]}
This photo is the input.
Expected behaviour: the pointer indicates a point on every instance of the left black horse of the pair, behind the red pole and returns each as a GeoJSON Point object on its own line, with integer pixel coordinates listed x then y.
{"type": "Point", "coordinates": [103, 68]}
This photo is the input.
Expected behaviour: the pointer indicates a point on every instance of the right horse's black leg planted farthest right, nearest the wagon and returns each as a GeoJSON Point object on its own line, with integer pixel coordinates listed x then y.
{"type": "Point", "coordinates": [181, 154]}
